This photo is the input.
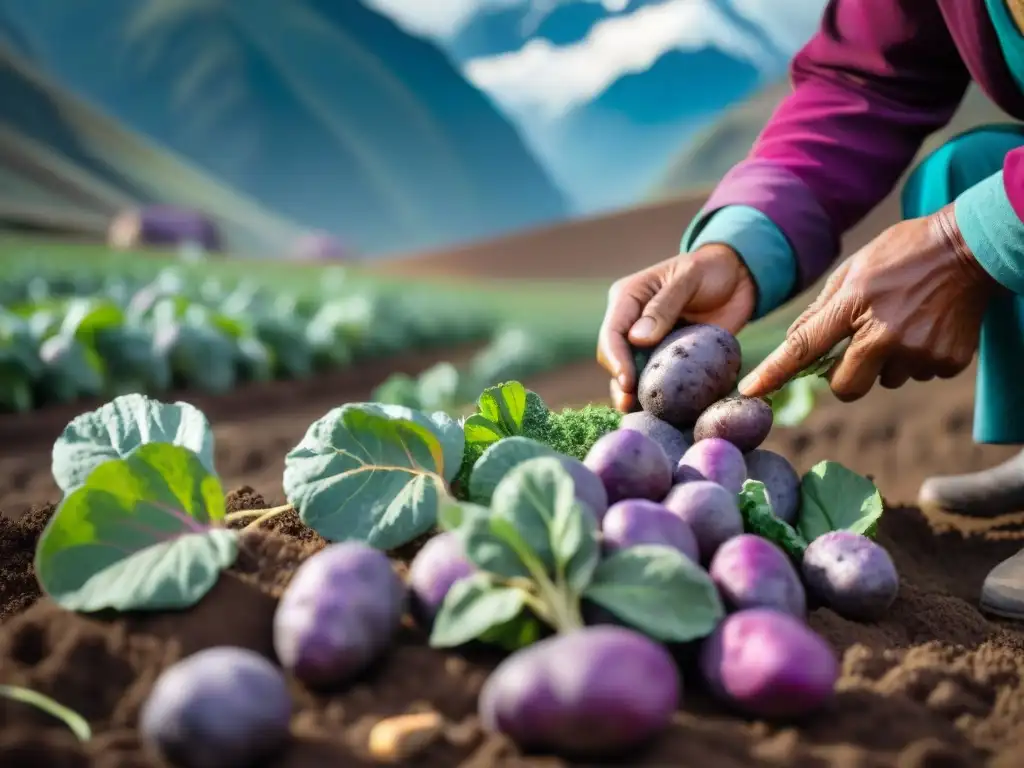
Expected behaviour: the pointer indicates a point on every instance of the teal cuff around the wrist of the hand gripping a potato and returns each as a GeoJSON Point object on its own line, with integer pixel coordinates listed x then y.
{"type": "Point", "coordinates": [761, 245]}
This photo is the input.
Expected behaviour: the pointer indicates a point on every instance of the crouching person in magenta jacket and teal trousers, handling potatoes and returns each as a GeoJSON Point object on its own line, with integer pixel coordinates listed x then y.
{"type": "Point", "coordinates": [917, 303]}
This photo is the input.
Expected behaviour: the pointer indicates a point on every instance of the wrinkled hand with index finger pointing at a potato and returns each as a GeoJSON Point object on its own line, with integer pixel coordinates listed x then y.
{"type": "Point", "coordinates": [912, 303]}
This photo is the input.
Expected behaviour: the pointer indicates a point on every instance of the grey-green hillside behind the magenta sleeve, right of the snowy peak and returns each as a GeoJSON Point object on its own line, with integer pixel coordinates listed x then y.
{"type": "Point", "coordinates": [708, 157]}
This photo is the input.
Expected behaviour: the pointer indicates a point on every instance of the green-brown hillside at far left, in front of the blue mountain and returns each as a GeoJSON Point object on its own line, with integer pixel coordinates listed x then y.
{"type": "Point", "coordinates": [66, 166]}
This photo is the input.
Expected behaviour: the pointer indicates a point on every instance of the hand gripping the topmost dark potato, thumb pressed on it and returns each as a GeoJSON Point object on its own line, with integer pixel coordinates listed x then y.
{"type": "Point", "coordinates": [711, 285]}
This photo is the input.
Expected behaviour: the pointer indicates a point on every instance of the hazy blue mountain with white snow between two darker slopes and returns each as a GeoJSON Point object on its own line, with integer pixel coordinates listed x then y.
{"type": "Point", "coordinates": [606, 92]}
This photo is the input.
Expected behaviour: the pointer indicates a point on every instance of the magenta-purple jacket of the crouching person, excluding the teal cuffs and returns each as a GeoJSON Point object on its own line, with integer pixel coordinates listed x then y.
{"type": "Point", "coordinates": [878, 78]}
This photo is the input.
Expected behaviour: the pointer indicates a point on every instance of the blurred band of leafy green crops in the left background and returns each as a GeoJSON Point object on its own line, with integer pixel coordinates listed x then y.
{"type": "Point", "coordinates": [71, 337]}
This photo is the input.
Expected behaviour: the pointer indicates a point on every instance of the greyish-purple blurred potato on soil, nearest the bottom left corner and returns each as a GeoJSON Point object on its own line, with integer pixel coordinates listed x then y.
{"type": "Point", "coordinates": [221, 708]}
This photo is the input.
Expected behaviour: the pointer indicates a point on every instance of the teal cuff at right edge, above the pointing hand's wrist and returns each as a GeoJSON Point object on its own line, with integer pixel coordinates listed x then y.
{"type": "Point", "coordinates": [994, 232]}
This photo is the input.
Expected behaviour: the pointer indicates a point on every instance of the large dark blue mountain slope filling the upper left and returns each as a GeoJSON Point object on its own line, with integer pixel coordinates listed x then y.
{"type": "Point", "coordinates": [324, 112]}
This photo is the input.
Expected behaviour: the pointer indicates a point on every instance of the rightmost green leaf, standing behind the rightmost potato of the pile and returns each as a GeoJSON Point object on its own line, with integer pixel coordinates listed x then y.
{"type": "Point", "coordinates": [835, 498]}
